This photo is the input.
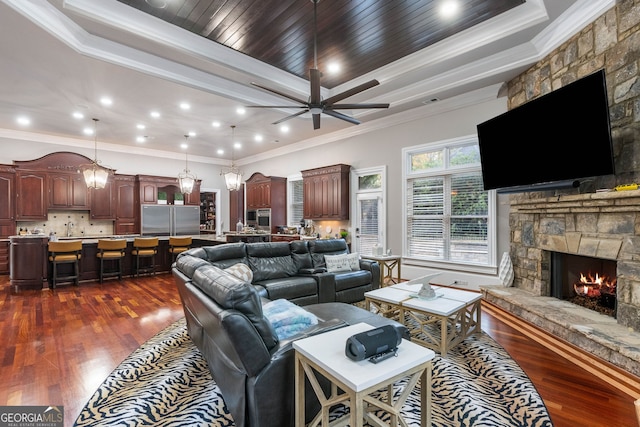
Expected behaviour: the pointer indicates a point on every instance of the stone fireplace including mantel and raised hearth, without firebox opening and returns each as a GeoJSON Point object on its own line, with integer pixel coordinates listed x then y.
{"type": "Point", "coordinates": [603, 225]}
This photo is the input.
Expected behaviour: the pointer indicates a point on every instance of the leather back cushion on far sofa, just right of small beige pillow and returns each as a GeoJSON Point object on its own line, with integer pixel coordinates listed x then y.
{"type": "Point", "coordinates": [270, 260]}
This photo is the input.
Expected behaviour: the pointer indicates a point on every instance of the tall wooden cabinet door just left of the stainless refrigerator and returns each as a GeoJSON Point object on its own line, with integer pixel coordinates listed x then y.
{"type": "Point", "coordinates": [126, 205]}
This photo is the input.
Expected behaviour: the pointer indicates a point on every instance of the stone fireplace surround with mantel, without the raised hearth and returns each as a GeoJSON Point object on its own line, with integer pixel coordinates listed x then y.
{"type": "Point", "coordinates": [601, 225]}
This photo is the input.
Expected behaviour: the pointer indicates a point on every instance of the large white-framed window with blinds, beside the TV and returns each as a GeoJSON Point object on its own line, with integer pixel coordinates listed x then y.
{"type": "Point", "coordinates": [448, 213]}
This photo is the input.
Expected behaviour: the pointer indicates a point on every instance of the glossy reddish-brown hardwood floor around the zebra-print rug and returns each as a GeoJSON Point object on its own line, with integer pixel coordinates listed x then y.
{"type": "Point", "coordinates": [59, 345]}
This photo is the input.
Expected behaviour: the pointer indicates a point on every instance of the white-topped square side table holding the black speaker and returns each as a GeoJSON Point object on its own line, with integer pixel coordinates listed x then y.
{"type": "Point", "coordinates": [352, 382]}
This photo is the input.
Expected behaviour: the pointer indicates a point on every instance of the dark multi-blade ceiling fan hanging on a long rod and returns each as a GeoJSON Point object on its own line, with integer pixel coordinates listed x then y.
{"type": "Point", "coordinates": [315, 104]}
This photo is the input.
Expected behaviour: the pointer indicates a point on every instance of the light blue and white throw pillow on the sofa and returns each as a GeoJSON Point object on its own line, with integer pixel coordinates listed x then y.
{"type": "Point", "coordinates": [287, 318]}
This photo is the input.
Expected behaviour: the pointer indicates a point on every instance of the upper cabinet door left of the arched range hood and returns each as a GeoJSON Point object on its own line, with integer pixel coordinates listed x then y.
{"type": "Point", "coordinates": [31, 191]}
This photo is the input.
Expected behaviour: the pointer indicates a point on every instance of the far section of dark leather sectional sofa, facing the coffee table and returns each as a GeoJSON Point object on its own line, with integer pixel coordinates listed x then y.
{"type": "Point", "coordinates": [296, 270]}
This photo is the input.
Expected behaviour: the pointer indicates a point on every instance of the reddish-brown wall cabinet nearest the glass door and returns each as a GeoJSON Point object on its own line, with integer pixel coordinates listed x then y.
{"type": "Point", "coordinates": [326, 192]}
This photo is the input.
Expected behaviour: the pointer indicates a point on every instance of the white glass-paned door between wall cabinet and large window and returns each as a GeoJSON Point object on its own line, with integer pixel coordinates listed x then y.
{"type": "Point", "coordinates": [369, 226]}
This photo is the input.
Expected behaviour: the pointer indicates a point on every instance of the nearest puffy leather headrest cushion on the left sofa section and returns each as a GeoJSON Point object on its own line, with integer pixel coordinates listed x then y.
{"type": "Point", "coordinates": [229, 292]}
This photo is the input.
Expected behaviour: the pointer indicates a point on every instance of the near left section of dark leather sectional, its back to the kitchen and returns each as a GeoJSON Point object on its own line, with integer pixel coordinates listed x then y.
{"type": "Point", "coordinates": [252, 366]}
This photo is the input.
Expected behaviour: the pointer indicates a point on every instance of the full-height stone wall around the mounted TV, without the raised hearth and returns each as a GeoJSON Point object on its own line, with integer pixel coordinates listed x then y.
{"type": "Point", "coordinates": [598, 224]}
